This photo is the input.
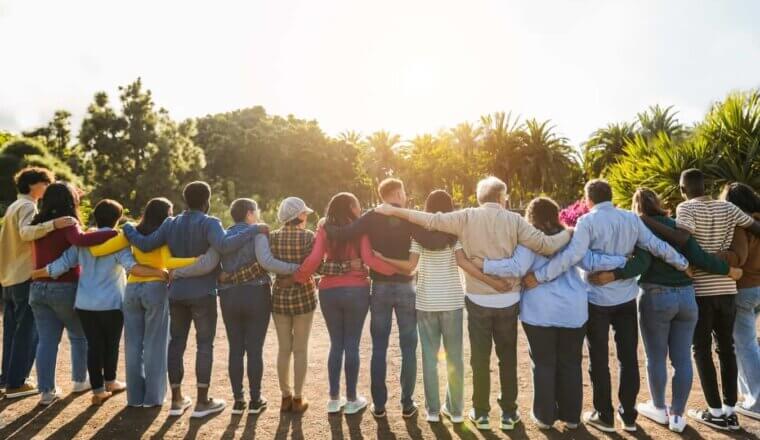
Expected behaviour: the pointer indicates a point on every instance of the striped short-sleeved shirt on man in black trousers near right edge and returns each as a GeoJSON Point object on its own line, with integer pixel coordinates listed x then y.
{"type": "Point", "coordinates": [711, 223]}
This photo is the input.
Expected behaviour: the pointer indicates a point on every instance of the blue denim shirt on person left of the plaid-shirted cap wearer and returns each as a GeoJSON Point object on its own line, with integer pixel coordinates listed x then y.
{"type": "Point", "coordinates": [251, 252]}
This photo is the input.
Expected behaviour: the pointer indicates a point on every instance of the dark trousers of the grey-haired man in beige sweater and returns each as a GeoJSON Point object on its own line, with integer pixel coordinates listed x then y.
{"type": "Point", "coordinates": [491, 327]}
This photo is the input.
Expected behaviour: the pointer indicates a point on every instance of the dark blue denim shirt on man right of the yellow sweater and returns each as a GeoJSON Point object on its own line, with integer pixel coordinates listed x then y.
{"type": "Point", "coordinates": [190, 234]}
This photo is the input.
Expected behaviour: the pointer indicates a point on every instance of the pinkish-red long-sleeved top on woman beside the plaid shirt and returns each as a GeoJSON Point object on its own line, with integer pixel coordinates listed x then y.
{"type": "Point", "coordinates": [357, 278]}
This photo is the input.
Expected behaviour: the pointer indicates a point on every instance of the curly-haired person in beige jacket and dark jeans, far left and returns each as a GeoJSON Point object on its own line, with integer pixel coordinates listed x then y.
{"type": "Point", "coordinates": [16, 236]}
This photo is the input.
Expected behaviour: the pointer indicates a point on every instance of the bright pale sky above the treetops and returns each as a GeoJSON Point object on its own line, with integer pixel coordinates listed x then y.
{"type": "Point", "coordinates": [407, 66]}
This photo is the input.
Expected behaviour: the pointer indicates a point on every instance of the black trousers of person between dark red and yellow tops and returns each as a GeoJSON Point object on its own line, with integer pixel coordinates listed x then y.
{"type": "Point", "coordinates": [103, 332]}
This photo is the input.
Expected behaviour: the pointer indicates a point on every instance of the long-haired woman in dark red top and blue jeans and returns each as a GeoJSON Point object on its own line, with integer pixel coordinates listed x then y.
{"type": "Point", "coordinates": [52, 300]}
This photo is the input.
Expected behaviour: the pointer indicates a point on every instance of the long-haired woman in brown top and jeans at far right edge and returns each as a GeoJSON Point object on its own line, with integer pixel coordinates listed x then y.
{"type": "Point", "coordinates": [747, 304]}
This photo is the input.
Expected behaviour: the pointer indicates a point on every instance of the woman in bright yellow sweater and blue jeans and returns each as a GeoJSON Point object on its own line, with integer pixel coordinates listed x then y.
{"type": "Point", "coordinates": [146, 311]}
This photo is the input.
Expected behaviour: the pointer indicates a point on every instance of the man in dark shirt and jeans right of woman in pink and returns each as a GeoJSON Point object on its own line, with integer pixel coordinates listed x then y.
{"type": "Point", "coordinates": [392, 238]}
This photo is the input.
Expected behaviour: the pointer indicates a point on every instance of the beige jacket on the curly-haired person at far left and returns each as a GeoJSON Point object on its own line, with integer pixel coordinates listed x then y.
{"type": "Point", "coordinates": [16, 237]}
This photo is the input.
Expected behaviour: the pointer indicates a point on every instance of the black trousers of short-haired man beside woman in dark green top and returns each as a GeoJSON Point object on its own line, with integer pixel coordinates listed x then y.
{"type": "Point", "coordinates": [623, 320]}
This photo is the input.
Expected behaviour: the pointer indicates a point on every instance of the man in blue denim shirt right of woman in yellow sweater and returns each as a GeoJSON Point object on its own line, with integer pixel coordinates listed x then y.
{"type": "Point", "coordinates": [193, 299]}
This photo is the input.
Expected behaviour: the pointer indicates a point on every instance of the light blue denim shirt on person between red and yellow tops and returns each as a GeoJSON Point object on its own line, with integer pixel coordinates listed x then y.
{"type": "Point", "coordinates": [102, 280]}
